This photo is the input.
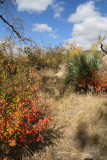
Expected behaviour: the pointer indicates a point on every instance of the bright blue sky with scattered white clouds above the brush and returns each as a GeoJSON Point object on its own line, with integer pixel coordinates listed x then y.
{"type": "Point", "coordinates": [51, 22]}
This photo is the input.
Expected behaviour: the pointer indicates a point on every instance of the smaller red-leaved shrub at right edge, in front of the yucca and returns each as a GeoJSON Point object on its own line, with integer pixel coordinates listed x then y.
{"type": "Point", "coordinates": [93, 79]}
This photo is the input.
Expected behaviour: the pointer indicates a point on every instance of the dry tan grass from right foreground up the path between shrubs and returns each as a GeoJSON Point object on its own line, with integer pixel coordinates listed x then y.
{"type": "Point", "coordinates": [79, 129]}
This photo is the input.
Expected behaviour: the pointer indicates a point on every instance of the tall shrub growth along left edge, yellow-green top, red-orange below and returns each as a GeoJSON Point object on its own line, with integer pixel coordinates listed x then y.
{"type": "Point", "coordinates": [23, 114]}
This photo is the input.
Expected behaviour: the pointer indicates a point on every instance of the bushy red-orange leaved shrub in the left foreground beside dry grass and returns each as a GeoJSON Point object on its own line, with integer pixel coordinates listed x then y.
{"type": "Point", "coordinates": [23, 114]}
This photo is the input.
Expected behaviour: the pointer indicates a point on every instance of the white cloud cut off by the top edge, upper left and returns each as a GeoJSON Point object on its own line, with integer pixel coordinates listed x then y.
{"type": "Point", "coordinates": [33, 5]}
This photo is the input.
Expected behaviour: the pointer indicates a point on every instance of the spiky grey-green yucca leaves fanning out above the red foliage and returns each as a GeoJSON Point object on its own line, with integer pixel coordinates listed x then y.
{"type": "Point", "coordinates": [81, 64]}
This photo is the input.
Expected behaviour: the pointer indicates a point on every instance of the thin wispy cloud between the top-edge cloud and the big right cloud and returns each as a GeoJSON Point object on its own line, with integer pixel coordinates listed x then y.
{"type": "Point", "coordinates": [58, 9]}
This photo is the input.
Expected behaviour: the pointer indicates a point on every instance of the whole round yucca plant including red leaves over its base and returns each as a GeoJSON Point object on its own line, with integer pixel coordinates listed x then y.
{"type": "Point", "coordinates": [83, 71]}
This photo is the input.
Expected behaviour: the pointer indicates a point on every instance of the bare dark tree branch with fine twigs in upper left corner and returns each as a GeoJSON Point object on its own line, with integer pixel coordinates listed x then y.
{"type": "Point", "coordinates": [15, 25]}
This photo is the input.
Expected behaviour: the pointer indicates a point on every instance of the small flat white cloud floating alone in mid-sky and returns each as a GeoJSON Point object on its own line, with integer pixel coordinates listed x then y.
{"type": "Point", "coordinates": [44, 28]}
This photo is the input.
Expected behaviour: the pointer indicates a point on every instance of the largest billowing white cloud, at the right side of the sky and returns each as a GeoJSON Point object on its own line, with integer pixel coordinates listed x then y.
{"type": "Point", "coordinates": [88, 23]}
